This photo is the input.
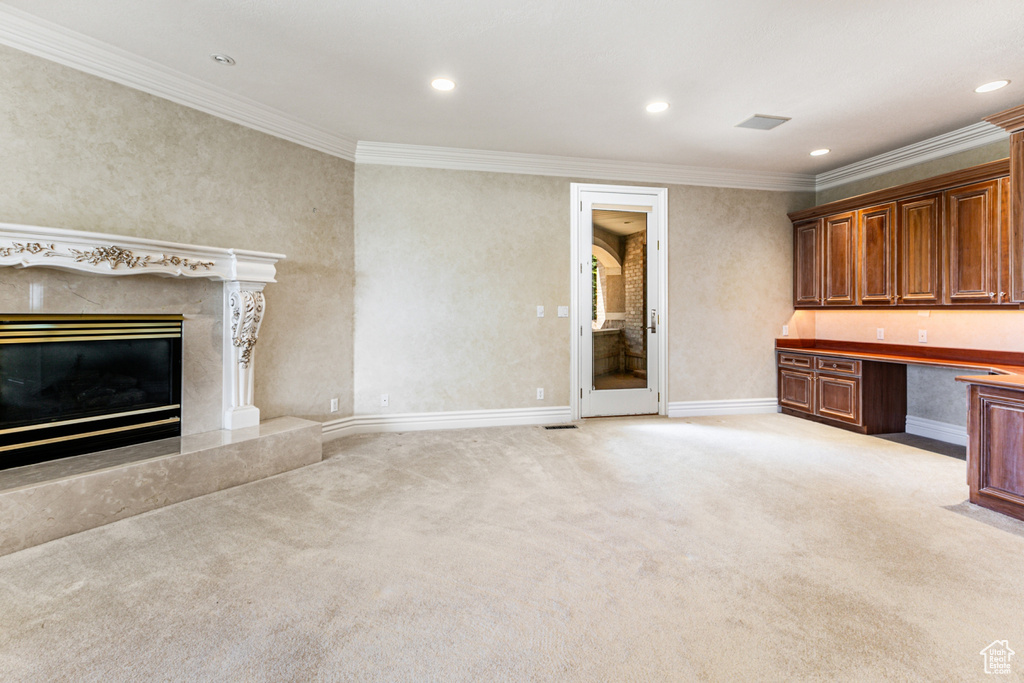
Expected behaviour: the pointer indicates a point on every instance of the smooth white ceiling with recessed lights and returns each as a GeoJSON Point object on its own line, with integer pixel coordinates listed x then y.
{"type": "Point", "coordinates": [572, 79]}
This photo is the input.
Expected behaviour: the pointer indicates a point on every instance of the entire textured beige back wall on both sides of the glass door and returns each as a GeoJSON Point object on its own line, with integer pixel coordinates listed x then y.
{"type": "Point", "coordinates": [452, 265]}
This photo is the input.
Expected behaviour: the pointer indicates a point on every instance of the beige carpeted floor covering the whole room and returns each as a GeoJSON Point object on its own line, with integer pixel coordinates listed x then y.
{"type": "Point", "coordinates": [726, 549]}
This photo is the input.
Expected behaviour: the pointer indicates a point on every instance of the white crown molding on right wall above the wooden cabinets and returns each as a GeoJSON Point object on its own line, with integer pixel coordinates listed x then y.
{"type": "Point", "coordinates": [962, 140]}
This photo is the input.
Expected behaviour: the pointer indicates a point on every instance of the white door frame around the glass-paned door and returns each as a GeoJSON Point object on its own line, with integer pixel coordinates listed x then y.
{"type": "Point", "coordinates": [659, 197]}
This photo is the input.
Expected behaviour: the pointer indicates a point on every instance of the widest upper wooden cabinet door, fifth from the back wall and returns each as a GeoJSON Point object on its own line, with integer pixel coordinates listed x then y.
{"type": "Point", "coordinates": [973, 244]}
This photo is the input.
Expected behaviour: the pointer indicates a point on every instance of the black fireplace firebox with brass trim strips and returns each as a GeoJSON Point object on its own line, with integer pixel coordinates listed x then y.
{"type": "Point", "coordinates": [75, 385]}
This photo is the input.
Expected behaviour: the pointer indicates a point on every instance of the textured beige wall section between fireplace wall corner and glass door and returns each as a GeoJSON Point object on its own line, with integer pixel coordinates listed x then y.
{"type": "Point", "coordinates": [451, 267]}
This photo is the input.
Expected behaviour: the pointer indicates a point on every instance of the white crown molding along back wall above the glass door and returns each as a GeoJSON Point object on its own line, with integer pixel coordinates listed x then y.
{"type": "Point", "coordinates": [388, 154]}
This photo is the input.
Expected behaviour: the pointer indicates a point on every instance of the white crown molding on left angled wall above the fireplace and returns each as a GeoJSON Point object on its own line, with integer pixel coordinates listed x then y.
{"type": "Point", "coordinates": [30, 34]}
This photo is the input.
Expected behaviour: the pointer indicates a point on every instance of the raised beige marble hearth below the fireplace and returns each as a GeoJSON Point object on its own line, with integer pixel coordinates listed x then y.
{"type": "Point", "coordinates": [49, 501]}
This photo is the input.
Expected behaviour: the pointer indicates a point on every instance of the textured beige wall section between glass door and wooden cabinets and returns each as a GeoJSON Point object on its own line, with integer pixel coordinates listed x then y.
{"type": "Point", "coordinates": [731, 290]}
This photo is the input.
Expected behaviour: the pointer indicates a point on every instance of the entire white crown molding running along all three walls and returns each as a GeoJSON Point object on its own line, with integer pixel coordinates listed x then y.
{"type": "Point", "coordinates": [35, 36]}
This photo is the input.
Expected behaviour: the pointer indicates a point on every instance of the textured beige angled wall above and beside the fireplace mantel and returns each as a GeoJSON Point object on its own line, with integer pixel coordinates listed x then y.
{"type": "Point", "coordinates": [86, 154]}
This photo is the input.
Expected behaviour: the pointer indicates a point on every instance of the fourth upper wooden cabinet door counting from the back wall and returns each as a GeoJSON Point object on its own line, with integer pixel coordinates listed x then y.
{"type": "Point", "coordinates": [919, 228]}
